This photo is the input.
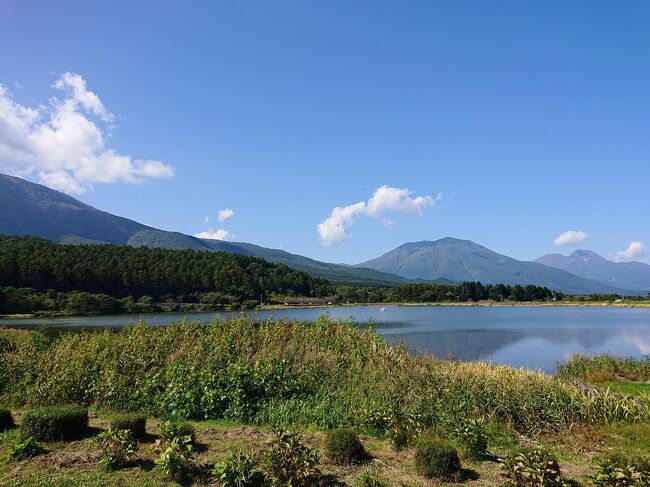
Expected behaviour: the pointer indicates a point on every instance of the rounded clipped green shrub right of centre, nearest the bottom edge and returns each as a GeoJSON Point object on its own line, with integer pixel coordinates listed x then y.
{"type": "Point", "coordinates": [436, 458]}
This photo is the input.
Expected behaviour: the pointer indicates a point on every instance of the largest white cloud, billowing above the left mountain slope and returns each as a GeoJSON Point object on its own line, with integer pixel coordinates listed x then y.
{"type": "Point", "coordinates": [63, 144]}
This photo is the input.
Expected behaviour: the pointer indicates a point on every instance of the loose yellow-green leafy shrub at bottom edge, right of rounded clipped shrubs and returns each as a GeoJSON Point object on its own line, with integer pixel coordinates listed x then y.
{"type": "Point", "coordinates": [533, 467]}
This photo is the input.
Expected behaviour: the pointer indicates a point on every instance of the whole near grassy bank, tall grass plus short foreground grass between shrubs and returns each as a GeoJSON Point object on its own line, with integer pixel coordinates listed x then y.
{"type": "Point", "coordinates": [234, 379]}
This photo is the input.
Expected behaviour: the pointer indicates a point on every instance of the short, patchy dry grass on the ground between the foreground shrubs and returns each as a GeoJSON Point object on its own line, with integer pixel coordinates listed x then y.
{"type": "Point", "coordinates": [73, 464]}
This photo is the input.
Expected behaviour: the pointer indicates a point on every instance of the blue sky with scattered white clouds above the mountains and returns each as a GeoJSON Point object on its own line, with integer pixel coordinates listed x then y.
{"type": "Point", "coordinates": [512, 121]}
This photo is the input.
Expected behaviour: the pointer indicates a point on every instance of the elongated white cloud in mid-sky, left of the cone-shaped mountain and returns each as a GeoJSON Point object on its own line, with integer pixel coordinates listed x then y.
{"type": "Point", "coordinates": [385, 200]}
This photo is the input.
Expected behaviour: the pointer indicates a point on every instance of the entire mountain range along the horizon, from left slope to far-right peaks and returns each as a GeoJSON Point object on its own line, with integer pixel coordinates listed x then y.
{"type": "Point", "coordinates": [32, 209]}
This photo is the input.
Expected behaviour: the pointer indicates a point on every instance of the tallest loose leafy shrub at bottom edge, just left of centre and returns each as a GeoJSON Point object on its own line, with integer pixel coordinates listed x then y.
{"type": "Point", "coordinates": [290, 462]}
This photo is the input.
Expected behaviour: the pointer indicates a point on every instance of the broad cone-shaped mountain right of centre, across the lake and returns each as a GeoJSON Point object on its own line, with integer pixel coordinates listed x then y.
{"type": "Point", "coordinates": [463, 260]}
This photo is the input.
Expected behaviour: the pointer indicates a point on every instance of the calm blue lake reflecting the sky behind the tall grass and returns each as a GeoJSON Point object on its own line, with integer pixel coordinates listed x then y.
{"type": "Point", "coordinates": [521, 336]}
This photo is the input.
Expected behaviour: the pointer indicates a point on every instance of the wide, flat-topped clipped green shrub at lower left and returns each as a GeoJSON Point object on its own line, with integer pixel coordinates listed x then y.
{"type": "Point", "coordinates": [55, 423]}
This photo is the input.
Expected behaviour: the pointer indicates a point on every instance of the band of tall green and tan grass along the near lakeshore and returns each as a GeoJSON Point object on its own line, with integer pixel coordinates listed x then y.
{"type": "Point", "coordinates": [327, 374]}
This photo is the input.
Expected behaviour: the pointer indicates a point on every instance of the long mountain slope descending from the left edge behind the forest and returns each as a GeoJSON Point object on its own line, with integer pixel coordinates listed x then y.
{"type": "Point", "coordinates": [32, 209]}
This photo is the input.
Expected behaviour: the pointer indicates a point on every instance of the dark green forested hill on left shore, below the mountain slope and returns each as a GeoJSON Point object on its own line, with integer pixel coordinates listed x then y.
{"type": "Point", "coordinates": [130, 271]}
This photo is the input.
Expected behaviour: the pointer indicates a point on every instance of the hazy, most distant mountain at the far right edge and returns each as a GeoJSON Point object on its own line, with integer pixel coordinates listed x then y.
{"type": "Point", "coordinates": [590, 265]}
